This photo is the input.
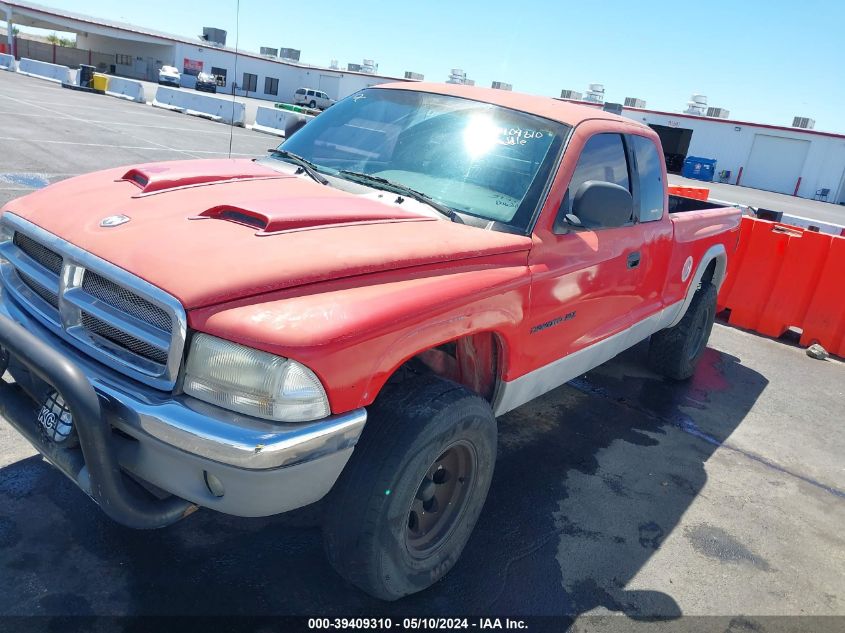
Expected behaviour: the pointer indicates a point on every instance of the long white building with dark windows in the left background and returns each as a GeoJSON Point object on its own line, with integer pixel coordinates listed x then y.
{"type": "Point", "coordinates": [137, 52]}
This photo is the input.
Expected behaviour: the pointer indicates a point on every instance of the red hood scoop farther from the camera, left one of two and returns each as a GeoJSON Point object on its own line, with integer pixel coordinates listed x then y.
{"type": "Point", "coordinates": [160, 177]}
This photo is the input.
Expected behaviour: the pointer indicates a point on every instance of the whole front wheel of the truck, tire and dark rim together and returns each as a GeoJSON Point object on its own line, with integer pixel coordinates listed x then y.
{"type": "Point", "coordinates": [407, 501]}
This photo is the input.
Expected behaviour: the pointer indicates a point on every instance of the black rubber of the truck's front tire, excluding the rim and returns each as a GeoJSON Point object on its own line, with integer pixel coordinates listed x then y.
{"type": "Point", "coordinates": [409, 424]}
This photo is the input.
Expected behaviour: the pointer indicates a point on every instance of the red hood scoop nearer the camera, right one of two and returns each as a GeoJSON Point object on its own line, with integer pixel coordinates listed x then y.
{"type": "Point", "coordinates": [282, 216]}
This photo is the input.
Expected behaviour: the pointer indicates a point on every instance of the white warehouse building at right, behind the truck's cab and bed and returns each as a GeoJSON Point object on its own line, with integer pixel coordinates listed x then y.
{"type": "Point", "coordinates": [795, 161]}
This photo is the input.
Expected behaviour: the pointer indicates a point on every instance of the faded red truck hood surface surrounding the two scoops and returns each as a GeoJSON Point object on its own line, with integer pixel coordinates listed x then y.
{"type": "Point", "coordinates": [212, 231]}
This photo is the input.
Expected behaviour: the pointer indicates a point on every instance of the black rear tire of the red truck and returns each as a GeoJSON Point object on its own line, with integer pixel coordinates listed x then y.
{"type": "Point", "coordinates": [669, 349]}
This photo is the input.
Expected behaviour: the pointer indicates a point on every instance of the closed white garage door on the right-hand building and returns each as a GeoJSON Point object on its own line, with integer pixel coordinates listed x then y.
{"type": "Point", "coordinates": [775, 163]}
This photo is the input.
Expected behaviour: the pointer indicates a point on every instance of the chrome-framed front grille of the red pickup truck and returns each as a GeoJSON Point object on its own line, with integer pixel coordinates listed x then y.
{"type": "Point", "coordinates": [111, 315]}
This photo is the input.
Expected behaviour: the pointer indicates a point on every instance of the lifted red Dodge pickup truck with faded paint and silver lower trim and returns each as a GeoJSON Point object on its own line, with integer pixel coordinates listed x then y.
{"type": "Point", "coordinates": [346, 316]}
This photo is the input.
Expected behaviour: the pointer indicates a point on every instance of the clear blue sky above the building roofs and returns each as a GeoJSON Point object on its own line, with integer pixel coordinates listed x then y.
{"type": "Point", "coordinates": [763, 61]}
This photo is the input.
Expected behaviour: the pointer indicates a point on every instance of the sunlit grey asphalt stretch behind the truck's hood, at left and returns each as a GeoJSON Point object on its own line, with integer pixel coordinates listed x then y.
{"type": "Point", "coordinates": [50, 133]}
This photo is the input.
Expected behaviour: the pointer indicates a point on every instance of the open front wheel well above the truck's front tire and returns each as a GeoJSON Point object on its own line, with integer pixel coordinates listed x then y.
{"type": "Point", "coordinates": [472, 361]}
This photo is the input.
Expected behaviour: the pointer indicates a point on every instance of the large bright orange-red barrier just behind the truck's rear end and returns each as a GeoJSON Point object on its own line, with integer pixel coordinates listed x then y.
{"type": "Point", "coordinates": [782, 277]}
